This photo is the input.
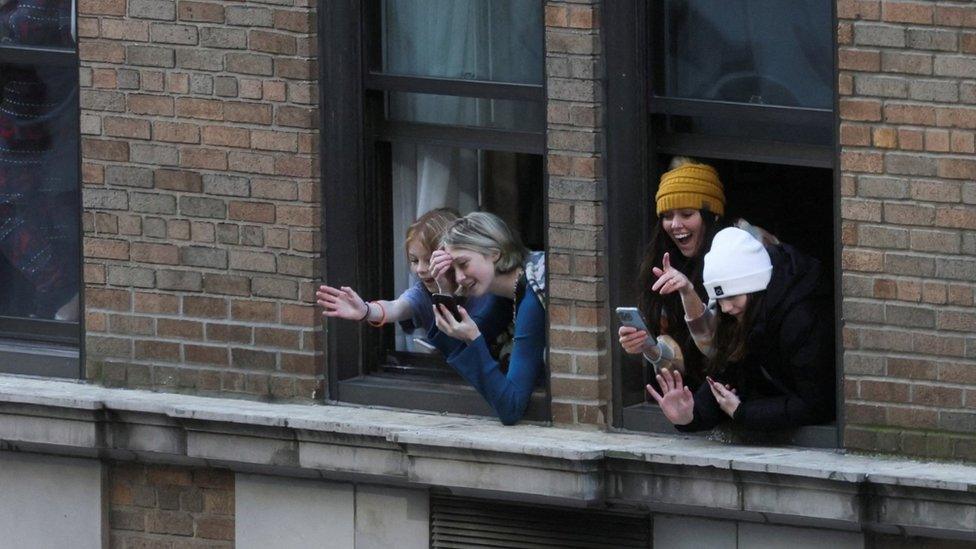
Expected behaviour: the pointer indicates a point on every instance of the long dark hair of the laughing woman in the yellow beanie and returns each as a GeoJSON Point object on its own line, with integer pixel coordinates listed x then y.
{"type": "Point", "coordinates": [665, 313]}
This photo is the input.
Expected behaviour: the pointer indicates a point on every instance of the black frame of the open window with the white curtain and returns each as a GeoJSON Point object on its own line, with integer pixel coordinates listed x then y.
{"type": "Point", "coordinates": [350, 134]}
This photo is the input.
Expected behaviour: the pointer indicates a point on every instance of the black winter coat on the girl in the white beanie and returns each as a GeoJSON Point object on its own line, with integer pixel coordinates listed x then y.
{"type": "Point", "coordinates": [786, 378]}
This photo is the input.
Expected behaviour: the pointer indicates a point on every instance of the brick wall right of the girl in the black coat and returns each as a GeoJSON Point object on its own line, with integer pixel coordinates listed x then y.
{"type": "Point", "coordinates": [908, 114]}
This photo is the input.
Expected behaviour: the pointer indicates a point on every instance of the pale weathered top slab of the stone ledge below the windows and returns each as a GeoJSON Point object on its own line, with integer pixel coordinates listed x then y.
{"type": "Point", "coordinates": [454, 433]}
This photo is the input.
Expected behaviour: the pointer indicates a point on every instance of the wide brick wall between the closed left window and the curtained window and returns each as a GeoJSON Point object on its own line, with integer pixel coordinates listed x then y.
{"type": "Point", "coordinates": [201, 222]}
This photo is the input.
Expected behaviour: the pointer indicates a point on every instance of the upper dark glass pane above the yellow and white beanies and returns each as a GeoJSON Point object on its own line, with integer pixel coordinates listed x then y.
{"type": "Point", "coordinates": [749, 51]}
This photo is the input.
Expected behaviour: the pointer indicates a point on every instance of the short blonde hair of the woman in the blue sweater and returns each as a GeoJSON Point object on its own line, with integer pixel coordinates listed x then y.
{"type": "Point", "coordinates": [484, 233]}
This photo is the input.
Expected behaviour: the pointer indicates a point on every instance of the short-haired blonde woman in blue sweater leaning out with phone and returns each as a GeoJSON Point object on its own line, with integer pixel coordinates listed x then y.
{"type": "Point", "coordinates": [488, 258]}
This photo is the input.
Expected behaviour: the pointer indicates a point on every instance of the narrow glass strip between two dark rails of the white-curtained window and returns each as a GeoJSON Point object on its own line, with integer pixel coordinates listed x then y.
{"type": "Point", "coordinates": [503, 114]}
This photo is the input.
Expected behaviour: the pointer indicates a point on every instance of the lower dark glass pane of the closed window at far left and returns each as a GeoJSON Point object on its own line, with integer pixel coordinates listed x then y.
{"type": "Point", "coordinates": [39, 225]}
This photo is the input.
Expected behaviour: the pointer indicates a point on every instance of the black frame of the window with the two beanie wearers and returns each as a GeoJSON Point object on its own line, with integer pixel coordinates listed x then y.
{"type": "Point", "coordinates": [633, 146]}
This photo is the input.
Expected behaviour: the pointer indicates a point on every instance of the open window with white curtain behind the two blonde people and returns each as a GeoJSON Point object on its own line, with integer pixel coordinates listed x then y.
{"type": "Point", "coordinates": [426, 104]}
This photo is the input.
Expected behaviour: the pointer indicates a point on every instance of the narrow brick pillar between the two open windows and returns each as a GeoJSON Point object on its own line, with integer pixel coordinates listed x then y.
{"type": "Point", "coordinates": [579, 357]}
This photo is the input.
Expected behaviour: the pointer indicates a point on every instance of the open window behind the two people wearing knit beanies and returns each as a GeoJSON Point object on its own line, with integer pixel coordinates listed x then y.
{"type": "Point", "coordinates": [744, 85]}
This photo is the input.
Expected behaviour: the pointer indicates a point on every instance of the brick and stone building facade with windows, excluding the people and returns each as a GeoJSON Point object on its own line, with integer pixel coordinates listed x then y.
{"type": "Point", "coordinates": [182, 389]}
